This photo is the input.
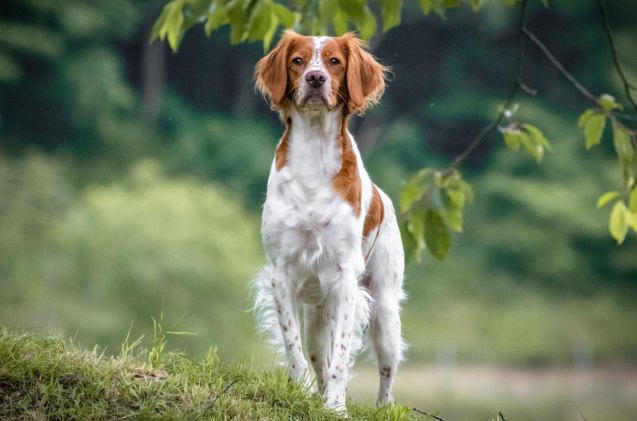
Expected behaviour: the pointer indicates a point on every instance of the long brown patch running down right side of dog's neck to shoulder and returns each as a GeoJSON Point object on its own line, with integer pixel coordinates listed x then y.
{"type": "Point", "coordinates": [347, 181]}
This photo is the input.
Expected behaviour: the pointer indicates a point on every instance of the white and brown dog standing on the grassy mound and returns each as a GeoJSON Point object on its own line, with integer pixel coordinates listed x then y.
{"type": "Point", "coordinates": [335, 257]}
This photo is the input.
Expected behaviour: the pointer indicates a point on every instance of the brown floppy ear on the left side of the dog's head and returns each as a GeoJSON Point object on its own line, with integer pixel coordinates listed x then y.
{"type": "Point", "coordinates": [271, 72]}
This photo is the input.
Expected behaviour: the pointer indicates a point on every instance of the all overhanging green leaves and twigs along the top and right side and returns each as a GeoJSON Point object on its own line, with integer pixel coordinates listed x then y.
{"type": "Point", "coordinates": [432, 201]}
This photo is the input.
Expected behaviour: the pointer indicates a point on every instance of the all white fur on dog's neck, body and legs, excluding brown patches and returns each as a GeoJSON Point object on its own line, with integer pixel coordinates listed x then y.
{"type": "Point", "coordinates": [316, 263]}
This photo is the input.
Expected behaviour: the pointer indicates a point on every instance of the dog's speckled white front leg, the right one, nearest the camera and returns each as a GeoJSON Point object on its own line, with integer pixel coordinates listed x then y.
{"type": "Point", "coordinates": [340, 313]}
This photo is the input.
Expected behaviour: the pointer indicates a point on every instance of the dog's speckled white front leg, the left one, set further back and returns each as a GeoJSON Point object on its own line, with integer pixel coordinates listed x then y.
{"type": "Point", "coordinates": [287, 308]}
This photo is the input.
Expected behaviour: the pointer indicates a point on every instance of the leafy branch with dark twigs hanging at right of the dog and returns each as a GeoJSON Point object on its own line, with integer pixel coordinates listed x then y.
{"type": "Point", "coordinates": [417, 206]}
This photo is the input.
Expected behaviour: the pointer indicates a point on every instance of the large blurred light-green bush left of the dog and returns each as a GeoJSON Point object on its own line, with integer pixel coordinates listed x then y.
{"type": "Point", "coordinates": [124, 252]}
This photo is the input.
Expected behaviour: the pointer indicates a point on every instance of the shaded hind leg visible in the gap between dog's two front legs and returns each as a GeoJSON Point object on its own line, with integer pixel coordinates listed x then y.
{"type": "Point", "coordinates": [317, 341]}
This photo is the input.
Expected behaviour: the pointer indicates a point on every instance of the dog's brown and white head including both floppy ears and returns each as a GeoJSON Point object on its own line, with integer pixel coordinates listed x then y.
{"type": "Point", "coordinates": [315, 73]}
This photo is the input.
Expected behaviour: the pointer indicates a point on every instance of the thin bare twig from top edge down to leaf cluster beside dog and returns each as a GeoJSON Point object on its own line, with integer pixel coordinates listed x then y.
{"type": "Point", "coordinates": [512, 91]}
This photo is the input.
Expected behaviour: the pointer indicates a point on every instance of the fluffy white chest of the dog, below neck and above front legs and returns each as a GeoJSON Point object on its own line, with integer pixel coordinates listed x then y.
{"type": "Point", "coordinates": [304, 216]}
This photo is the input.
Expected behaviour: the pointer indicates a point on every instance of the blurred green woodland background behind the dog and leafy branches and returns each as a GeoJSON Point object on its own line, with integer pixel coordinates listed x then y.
{"type": "Point", "coordinates": [131, 180]}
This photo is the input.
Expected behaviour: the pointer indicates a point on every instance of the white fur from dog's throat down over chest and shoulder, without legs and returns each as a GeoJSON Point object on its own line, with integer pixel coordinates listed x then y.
{"type": "Point", "coordinates": [306, 223]}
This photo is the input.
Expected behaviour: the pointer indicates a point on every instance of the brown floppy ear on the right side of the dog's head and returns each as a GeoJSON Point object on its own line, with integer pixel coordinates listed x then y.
{"type": "Point", "coordinates": [365, 76]}
